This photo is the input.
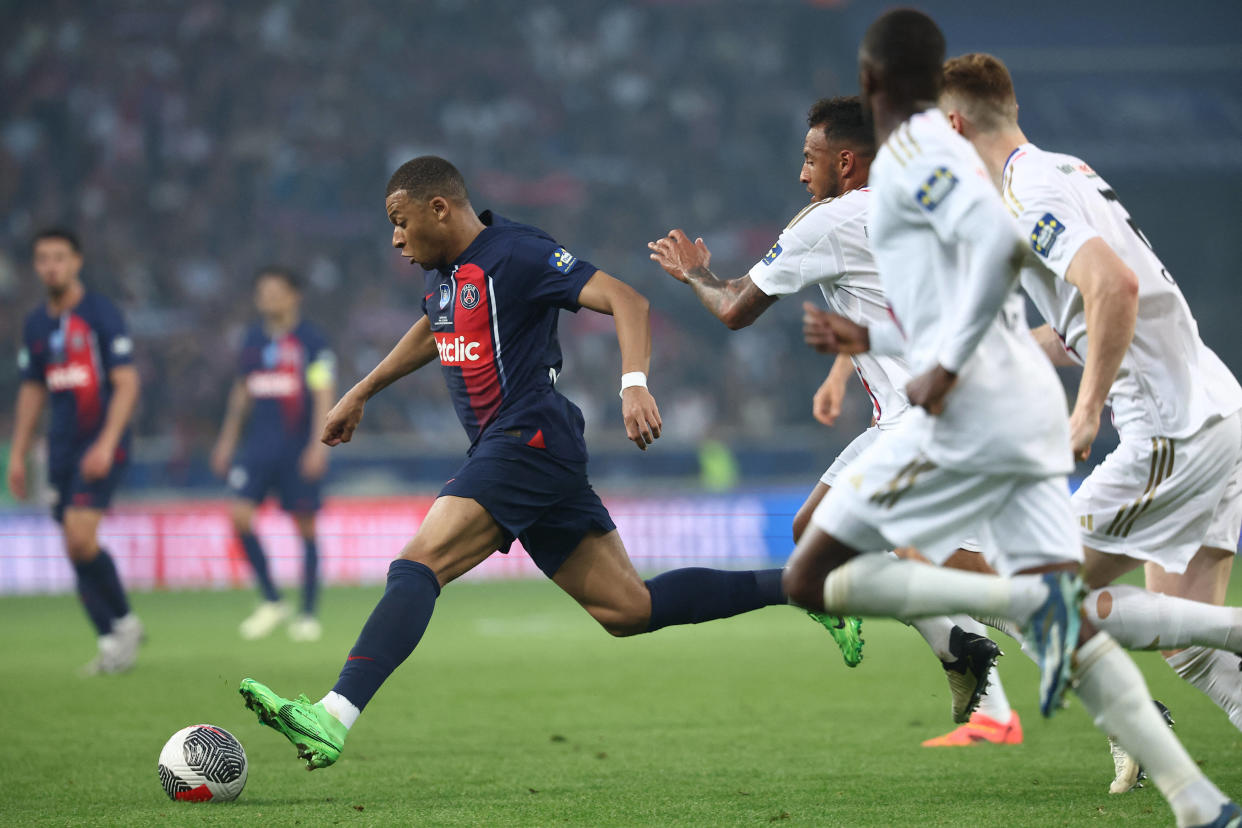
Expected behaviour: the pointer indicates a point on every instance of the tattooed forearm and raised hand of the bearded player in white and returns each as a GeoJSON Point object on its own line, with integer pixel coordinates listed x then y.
{"type": "Point", "coordinates": [736, 302]}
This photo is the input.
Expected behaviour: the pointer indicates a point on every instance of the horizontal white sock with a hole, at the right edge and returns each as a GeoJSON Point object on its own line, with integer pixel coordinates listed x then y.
{"type": "Point", "coordinates": [1142, 620]}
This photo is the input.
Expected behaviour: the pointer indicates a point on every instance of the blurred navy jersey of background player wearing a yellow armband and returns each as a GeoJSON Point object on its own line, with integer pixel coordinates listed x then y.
{"type": "Point", "coordinates": [280, 374]}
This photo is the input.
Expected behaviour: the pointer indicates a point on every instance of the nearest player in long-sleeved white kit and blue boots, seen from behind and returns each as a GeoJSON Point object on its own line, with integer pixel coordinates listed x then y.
{"type": "Point", "coordinates": [989, 448]}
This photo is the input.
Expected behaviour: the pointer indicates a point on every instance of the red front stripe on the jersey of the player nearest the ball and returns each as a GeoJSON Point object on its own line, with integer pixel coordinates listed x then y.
{"type": "Point", "coordinates": [470, 346]}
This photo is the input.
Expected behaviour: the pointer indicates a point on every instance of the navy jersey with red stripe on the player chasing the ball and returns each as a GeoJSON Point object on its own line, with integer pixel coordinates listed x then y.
{"type": "Point", "coordinates": [494, 313]}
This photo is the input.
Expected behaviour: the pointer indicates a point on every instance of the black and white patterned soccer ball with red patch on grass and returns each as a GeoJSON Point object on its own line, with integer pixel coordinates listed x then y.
{"type": "Point", "coordinates": [203, 764]}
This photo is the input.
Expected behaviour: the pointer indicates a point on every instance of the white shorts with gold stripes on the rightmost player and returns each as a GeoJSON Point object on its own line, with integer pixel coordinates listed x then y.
{"type": "Point", "coordinates": [1159, 500]}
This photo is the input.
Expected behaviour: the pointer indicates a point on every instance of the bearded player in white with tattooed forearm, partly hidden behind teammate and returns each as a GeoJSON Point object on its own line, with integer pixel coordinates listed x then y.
{"type": "Point", "coordinates": [827, 245]}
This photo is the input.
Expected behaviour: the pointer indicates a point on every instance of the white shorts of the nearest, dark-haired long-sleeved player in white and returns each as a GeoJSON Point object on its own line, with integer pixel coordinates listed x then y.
{"type": "Point", "coordinates": [892, 496]}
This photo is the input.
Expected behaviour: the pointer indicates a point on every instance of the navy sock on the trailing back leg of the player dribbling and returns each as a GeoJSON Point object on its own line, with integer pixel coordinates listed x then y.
{"type": "Point", "coordinates": [695, 595]}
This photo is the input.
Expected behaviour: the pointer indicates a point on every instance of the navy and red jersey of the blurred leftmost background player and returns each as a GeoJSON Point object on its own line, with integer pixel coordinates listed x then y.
{"type": "Point", "coordinates": [73, 356]}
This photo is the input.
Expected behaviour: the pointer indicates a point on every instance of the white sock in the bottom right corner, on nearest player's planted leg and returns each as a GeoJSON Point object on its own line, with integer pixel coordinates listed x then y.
{"type": "Point", "coordinates": [1116, 696]}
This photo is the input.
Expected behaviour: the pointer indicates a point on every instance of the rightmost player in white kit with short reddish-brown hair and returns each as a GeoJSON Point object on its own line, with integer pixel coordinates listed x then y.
{"type": "Point", "coordinates": [1171, 496]}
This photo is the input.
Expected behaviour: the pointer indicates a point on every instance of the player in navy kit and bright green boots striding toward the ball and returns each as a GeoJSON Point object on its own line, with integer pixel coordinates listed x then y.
{"type": "Point", "coordinates": [494, 292]}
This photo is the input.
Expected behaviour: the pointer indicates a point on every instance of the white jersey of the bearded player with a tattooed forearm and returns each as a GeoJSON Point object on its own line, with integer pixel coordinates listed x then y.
{"type": "Point", "coordinates": [827, 245]}
